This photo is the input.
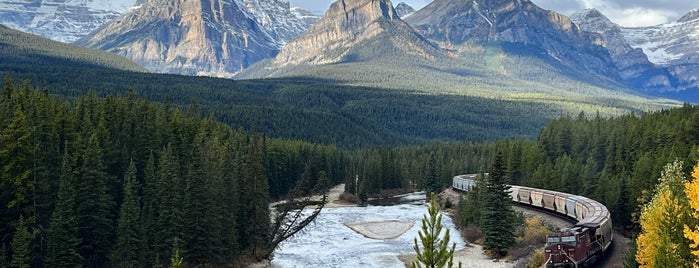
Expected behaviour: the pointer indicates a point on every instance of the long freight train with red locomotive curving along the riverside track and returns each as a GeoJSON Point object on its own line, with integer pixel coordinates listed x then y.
{"type": "Point", "coordinates": [578, 246]}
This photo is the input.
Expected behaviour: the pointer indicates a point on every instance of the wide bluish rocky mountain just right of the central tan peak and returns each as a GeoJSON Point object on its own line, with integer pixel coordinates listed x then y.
{"type": "Point", "coordinates": [462, 24]}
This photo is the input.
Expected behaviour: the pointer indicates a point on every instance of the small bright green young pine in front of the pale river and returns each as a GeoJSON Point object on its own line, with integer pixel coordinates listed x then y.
{"type": "Point", "coordinates": [435, 252]}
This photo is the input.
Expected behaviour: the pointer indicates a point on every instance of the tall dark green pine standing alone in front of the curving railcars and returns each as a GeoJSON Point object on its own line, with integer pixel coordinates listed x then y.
{"type": "Point", "coordinates": [497, 215]}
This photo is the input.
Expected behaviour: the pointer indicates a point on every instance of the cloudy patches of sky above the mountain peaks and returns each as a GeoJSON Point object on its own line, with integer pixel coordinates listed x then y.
{"type": "Point", "coordinates": [623, 12]}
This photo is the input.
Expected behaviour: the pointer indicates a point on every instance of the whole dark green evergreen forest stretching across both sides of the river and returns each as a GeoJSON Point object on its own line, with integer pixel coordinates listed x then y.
{"type": "Point", "coordinates": [118, 180]}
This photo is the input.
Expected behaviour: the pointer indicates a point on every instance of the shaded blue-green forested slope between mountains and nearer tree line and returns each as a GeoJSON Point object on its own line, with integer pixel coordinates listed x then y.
{"type": "Point", "coordinates": [314, 110]}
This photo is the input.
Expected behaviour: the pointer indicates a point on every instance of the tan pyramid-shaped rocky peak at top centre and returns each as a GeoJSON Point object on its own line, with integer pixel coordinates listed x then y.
{"type": "Point", "coordinates": [345, 26]}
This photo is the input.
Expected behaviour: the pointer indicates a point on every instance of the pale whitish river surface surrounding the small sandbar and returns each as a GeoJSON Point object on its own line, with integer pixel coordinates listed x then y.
{"type": "Point", "coordinates": [328, 242]}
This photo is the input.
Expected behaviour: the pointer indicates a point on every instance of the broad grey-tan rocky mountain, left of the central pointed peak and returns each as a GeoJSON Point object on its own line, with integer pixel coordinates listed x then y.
{"type": "Point", "coordinates": [199, 37]}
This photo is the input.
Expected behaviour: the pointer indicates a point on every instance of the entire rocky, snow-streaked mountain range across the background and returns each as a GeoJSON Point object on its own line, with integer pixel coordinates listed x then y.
{"type": "Point", "coordinates": [458, 41]}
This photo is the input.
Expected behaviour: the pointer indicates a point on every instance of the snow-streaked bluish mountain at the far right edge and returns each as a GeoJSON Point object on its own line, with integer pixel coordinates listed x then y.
{"type": "Point", "coordinates": [654, 59]}
